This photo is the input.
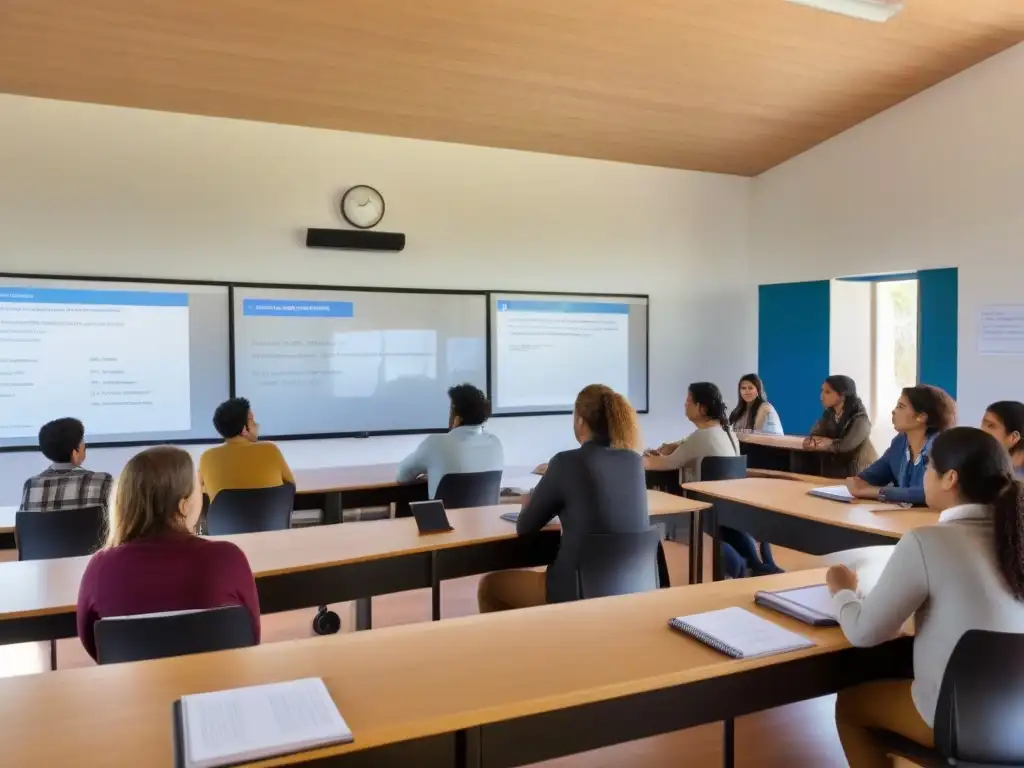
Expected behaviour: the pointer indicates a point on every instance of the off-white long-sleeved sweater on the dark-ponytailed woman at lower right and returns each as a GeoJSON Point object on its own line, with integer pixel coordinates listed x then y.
{"type": "Point", "coordinates": [948, 578]}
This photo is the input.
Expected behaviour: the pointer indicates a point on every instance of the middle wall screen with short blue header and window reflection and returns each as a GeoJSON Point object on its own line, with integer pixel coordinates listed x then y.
{"type": "Point", "coordinates": [327, 362]}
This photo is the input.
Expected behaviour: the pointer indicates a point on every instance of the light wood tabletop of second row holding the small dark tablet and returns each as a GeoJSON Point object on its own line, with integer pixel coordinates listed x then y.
{"type": "Point", "coordinates": [38, 588]}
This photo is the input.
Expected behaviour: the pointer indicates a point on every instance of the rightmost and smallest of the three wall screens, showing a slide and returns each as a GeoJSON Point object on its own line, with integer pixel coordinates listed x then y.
{"type": "Point", "coordinates": [547, 349]}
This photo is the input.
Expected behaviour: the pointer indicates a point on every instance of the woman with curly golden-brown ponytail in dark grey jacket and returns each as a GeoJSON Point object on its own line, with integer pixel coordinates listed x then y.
{"type": "Point", "coordinates": [599, 488]}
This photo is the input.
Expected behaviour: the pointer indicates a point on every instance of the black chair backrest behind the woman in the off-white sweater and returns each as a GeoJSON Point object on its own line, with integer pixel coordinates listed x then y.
{"type": "Point", "coordinates": [982, 702]}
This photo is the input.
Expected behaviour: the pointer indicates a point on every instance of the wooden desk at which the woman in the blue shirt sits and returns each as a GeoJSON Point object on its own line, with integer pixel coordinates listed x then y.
{"type": "Point", "coordinates": [781, 511]}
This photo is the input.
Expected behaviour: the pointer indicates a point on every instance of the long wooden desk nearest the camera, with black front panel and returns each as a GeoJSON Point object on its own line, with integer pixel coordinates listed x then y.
{"type": "Point", "coordinates": [485, 692]}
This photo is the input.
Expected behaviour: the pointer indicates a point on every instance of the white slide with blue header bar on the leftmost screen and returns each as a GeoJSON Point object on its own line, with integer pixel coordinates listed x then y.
{"type": "Point", "coordinates": [118, 360]}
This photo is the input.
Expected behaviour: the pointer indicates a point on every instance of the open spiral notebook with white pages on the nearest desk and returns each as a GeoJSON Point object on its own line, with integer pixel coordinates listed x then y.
{"type": "Point", "coordinates": [740, 634]}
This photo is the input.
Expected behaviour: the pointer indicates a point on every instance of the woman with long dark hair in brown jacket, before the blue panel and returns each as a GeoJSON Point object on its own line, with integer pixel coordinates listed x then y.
{"type": "Point", "coordinates": [843, 434]}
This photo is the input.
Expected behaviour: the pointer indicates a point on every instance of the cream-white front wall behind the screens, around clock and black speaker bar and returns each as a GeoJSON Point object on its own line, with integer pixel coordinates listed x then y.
{"type": "Point", "coordinates": [89, 190]}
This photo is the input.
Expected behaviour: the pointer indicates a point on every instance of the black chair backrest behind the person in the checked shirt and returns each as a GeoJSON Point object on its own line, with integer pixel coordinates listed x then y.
{"type": "Point", "coordinates": [69, 533]}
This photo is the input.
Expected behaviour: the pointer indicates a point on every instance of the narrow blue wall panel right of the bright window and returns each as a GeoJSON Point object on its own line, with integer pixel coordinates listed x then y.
{"type": "Point", "coordinates": [938, 328]}
